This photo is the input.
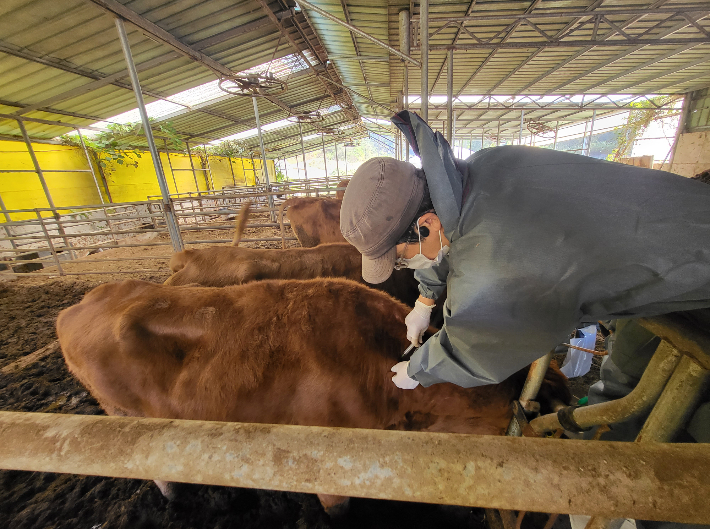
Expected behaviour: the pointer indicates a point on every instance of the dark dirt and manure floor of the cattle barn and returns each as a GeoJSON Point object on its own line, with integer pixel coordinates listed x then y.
{"type": "Point", "coordinates": [28, 310]}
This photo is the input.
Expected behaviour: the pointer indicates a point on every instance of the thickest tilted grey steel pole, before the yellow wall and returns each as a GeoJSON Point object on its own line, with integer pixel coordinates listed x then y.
{"type": "Point", "coordinates": [170, 219]}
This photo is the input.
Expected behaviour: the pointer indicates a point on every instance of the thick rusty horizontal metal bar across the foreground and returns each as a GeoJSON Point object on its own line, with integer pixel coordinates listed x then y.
{"type": "Point", "coordinates": [661, 482]}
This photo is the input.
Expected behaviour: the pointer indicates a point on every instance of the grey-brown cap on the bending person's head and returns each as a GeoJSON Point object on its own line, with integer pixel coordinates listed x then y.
{"type": "Point", "coordinates": [380, 203]}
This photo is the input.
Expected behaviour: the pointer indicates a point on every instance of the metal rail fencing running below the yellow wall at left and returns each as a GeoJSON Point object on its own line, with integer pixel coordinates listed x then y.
{"type": "Point", "coordinates": [54, 240]}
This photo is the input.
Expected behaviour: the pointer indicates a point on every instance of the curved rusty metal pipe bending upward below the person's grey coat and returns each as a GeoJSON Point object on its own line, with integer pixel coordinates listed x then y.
{"type": "Point", "coordinates": [642, 398]}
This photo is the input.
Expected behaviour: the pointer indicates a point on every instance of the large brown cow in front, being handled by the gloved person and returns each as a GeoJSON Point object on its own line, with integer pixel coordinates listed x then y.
{"type": "Point", "coordinates": [315, 352]}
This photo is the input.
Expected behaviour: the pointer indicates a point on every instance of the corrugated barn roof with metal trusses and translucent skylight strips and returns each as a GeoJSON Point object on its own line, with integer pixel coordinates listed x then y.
{"type": "Point", "coordinates": [540, 61]}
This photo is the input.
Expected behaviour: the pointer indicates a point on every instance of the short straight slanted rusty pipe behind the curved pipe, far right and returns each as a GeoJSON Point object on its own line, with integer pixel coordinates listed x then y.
{"type": "Point", "coordinates": [677, 402]}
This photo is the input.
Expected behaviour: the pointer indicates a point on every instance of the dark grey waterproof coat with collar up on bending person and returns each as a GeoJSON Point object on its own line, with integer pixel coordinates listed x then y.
{"type": "Point", "coordinates": [543, 240]}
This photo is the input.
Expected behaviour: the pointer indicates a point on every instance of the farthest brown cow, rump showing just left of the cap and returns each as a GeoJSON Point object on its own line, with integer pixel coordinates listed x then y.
{"type": "Point", "coordinates": [313, 220]}
